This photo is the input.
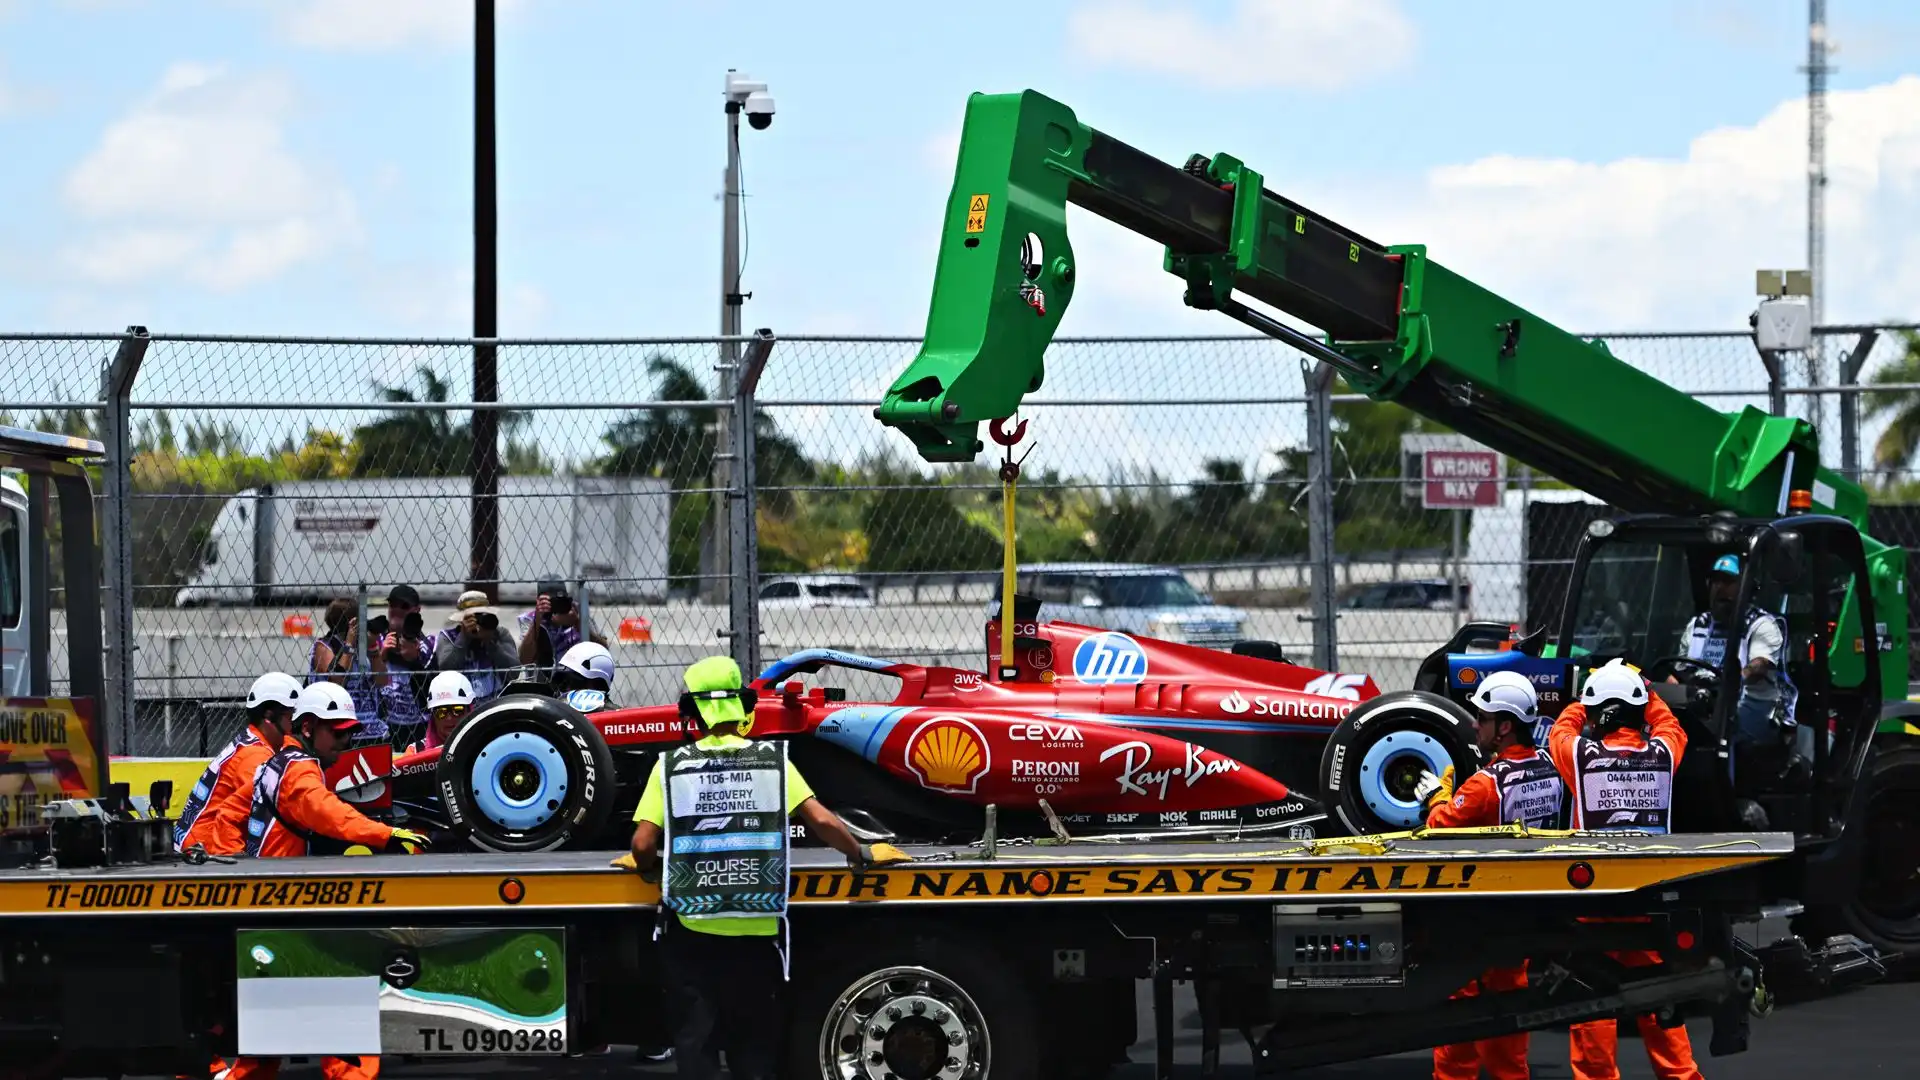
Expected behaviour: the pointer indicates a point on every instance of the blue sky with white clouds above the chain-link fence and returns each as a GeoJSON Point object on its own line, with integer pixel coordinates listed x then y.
{"type": "Point", "coordinates": [304, 166]}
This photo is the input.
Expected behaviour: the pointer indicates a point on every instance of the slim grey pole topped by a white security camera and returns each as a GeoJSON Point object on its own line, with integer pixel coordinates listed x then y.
{"type": "Point", "coordinates": [742, 97]}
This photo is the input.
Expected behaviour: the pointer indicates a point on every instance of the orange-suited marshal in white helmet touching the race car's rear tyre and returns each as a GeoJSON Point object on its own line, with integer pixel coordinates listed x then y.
{"type": "Point", "coordinates": [1518, 787]}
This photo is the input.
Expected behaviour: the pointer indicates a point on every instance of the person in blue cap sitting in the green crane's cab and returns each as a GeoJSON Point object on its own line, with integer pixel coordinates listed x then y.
{"type": "Point", "coordinates": [1767, 695]}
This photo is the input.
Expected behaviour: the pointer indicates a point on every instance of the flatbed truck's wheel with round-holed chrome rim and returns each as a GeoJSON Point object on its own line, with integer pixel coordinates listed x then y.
{"type": "Point", "coordinates": [919, 1010]}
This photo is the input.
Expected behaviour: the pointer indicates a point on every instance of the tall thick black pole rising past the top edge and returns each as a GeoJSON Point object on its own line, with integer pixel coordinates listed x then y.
{"type": "Point", "coordinates": [485, 454]}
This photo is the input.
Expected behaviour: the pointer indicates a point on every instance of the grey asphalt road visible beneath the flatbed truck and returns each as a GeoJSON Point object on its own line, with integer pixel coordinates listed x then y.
{"type": "Point", "coordinates": [1856, 1035]}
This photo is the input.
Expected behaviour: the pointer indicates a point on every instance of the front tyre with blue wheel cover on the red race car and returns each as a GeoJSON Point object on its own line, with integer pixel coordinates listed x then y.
{"type": "Point", "coordinates": [527, 773]}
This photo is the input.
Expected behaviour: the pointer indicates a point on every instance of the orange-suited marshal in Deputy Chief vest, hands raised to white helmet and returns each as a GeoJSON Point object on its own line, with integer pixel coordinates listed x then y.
{"type": "Point", "coordinates": [1621, 779]}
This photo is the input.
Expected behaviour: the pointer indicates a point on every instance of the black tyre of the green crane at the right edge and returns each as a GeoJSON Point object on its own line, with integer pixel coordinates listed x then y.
{"type": "Point", "coordinates": [1886, 910]}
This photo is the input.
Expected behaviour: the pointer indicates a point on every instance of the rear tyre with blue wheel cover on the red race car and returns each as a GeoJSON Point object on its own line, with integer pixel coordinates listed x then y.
{"type": "Point", "coordinates": [1378, 754]}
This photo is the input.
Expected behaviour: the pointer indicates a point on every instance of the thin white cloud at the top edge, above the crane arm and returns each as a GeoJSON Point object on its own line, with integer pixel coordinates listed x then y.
{"type": "Point", "coordinates": [1264, 43]}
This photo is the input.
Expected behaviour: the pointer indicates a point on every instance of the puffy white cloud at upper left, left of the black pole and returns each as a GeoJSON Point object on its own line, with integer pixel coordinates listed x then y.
{"type": "Point", "coordinates": [199, 182]}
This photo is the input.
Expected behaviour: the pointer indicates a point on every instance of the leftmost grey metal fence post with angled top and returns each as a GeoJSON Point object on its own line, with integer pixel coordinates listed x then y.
{"type": "Point", "coordinates": [116, 529]}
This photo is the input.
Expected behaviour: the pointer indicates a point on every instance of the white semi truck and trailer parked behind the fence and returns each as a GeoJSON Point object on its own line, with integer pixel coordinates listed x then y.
{"type": "Point", "coordinates": [312, 541]}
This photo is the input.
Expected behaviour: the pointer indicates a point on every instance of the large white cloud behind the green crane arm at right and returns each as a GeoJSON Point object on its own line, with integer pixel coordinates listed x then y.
{"type": "Point", "coordinates": [1633, 243]}
